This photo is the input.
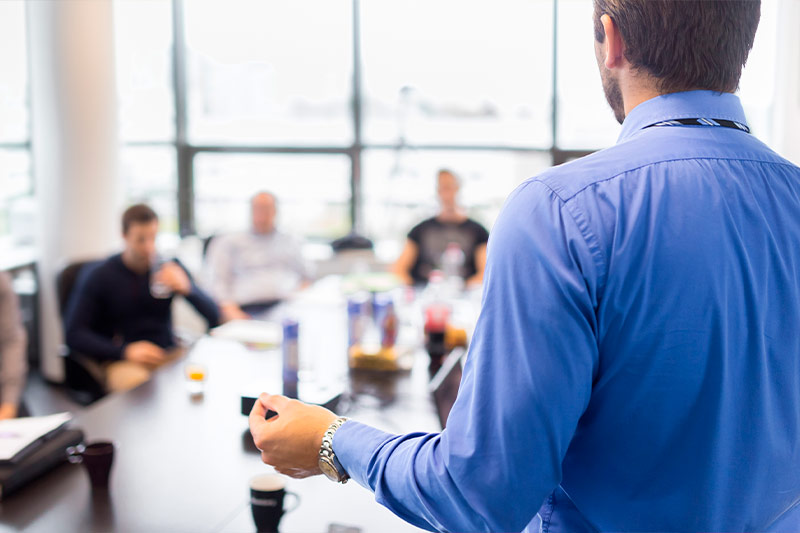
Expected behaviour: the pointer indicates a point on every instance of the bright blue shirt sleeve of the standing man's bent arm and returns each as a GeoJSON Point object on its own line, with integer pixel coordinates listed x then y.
{"type": "Point", "coordinates": [527, 381]}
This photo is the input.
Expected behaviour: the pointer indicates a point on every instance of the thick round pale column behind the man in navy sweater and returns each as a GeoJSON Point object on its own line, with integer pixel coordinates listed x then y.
{"type": "Point", "coordinates": [74, 146]}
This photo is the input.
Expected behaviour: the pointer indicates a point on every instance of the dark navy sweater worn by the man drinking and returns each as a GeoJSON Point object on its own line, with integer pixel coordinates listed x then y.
{"type": "Point", "coordinates": [111, 306]}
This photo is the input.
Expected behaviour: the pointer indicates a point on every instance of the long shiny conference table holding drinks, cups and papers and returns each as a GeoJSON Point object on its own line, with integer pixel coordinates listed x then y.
{"type": "Point", "coordinates": [182, 462]}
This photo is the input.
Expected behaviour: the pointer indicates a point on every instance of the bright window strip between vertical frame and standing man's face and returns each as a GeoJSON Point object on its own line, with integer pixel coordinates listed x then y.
{"type": "Point", "coordinates": [584, 119]}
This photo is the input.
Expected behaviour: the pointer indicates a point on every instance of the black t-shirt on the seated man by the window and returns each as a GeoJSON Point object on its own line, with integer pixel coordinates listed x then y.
{"type": "Point", "coordinates": [432, 237]}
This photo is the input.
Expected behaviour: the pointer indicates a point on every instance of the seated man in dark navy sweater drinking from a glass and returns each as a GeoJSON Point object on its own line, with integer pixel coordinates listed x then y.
{"type": "Point", "coordinates": [119, 313]}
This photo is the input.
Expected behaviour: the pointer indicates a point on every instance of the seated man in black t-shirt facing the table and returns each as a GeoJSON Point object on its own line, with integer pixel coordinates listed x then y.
{"type": "Point", "coordinates": [428, 241]}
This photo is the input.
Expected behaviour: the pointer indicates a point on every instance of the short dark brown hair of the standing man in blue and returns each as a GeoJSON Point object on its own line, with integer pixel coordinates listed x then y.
{"type": "Point", "coordinates": [684, 44]}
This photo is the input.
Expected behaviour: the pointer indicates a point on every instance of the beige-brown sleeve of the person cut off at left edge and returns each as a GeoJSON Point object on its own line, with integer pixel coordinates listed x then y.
{"type": "Point", "coordinates": [13, 356]}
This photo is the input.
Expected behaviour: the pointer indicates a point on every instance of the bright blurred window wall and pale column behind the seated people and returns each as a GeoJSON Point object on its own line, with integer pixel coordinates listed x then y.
{"type": "Point", "coordinates": [344, 109]}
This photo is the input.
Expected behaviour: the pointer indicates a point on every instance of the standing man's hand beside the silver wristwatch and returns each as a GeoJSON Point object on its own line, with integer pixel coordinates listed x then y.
{"type": "Point", "coordinates": [291, 440]}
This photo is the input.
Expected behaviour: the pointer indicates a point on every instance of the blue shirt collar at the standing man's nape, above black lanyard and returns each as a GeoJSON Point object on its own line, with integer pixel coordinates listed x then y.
{"type": "Point", "coordinates": [691, 104]}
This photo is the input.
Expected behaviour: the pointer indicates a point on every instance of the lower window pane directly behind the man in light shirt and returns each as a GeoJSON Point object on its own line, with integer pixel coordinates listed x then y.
{"type": "Point", "coordinates": [313, 192]}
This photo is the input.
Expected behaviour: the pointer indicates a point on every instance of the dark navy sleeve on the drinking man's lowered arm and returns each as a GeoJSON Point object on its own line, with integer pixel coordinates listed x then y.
{"type": "Point", "coordinates": [82, 313]}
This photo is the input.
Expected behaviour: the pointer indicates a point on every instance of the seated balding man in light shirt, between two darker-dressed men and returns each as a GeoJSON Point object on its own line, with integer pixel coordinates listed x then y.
{"type": "Point", "coordinates": [249, 272]}
